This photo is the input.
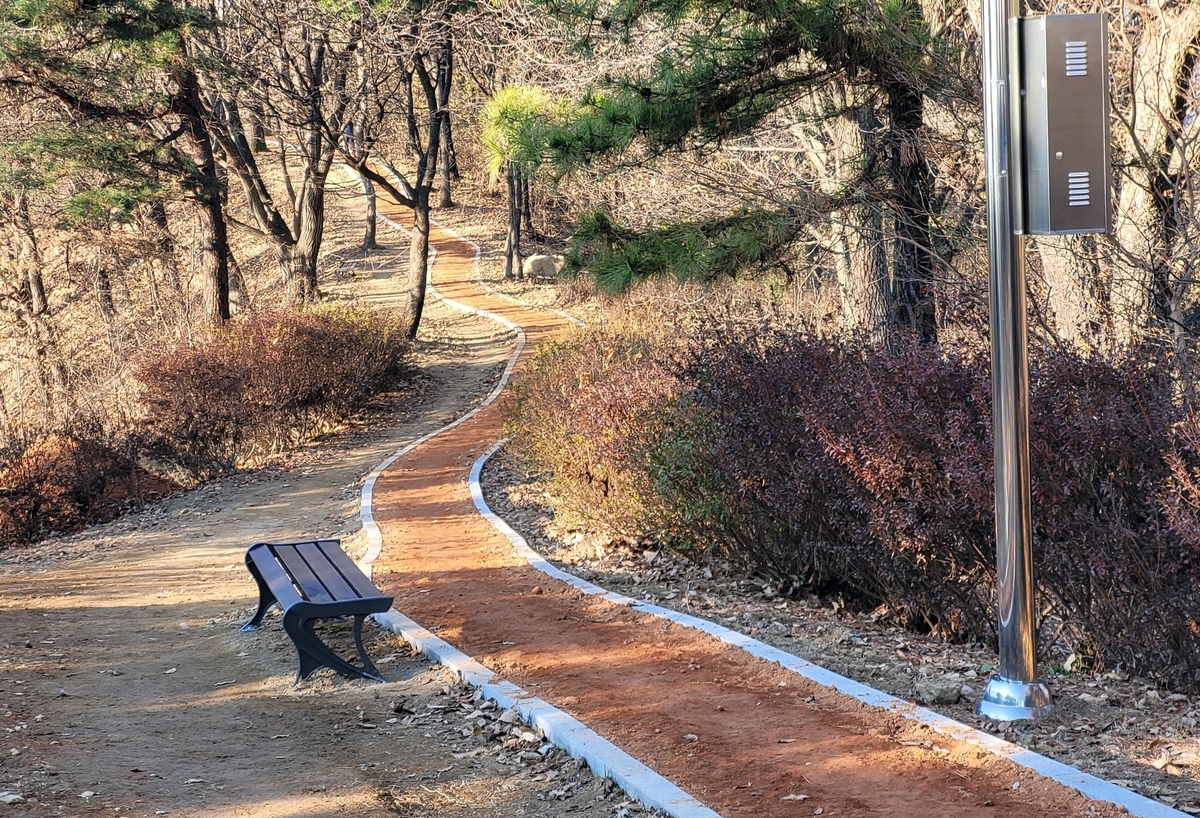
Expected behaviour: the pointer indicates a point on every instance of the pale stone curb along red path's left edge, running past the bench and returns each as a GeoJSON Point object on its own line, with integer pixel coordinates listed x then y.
{"type": "Point", "coordinates": [602, 756]}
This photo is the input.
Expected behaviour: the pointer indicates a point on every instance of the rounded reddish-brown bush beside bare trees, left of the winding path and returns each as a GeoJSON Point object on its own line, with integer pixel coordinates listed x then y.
{"type": "Point", "coordinates": [257, 387]}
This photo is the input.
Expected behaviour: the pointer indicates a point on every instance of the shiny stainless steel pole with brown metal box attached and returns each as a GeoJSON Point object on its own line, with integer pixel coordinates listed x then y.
{"type": "Point", "coordinates": [1046, 117]}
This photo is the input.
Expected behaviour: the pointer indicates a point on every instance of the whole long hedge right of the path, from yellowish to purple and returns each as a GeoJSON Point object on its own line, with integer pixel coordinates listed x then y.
{"type": "Point", "coordinates": [835, 467]}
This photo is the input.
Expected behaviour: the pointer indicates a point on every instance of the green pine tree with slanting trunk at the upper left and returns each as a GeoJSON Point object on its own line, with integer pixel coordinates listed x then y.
{"type": "Point", "coordinates": [129, 92]}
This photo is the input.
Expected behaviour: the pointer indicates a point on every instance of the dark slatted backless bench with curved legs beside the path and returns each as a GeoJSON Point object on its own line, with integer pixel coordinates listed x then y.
{"type": "Point", "coordinates": [313, 581]}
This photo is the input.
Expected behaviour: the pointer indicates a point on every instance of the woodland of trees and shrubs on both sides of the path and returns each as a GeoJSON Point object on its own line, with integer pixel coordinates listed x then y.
{"type": "Point", "coordinates": [781, 203]}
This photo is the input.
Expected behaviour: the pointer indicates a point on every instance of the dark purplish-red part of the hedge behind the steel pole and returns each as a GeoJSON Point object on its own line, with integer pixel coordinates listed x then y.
{"type": "Point", "coordinates": [877, 467]}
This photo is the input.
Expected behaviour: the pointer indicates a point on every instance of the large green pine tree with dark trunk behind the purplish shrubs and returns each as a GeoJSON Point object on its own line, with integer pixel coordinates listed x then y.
{"type": "Point", "coordinates": [733, 64]}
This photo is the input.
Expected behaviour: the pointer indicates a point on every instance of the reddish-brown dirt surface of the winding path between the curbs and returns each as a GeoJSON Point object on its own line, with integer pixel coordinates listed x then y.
{"type": "Point", "coordinates": [736, 732]}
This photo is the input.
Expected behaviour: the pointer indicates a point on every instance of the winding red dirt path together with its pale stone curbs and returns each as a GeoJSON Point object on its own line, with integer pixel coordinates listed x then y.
{"type": "Point", "coordinates": [766, 733]}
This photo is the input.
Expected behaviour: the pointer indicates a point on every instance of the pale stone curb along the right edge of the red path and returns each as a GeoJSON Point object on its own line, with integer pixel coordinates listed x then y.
{"type": "Point", "coordinates": [1088, 785]}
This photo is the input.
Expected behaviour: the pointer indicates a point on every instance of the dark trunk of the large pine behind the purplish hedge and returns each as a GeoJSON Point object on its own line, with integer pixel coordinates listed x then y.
{"type": "Point", "coordinates": [914, 306]}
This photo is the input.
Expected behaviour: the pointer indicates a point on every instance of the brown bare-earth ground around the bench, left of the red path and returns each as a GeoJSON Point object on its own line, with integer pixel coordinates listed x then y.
{"type": "Point", "coordinates": [127, 689]}
